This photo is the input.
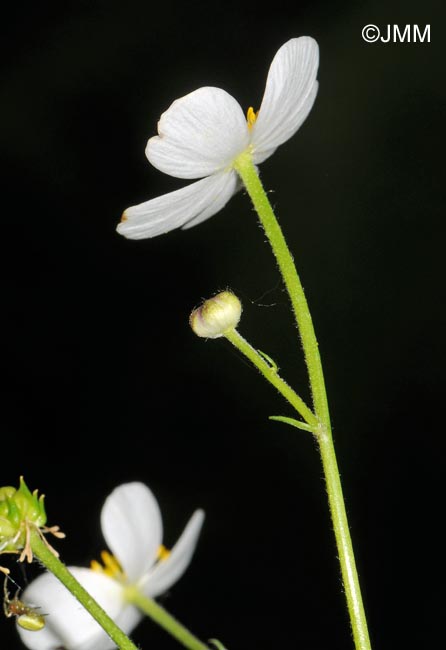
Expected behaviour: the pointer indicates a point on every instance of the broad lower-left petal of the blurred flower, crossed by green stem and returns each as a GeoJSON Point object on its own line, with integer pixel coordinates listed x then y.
{"type": "Point", "coordinates": [67, 623]}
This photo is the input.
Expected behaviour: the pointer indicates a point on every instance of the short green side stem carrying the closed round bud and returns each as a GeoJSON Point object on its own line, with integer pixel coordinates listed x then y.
{"type": "Point", "coordinates": [270, 373]}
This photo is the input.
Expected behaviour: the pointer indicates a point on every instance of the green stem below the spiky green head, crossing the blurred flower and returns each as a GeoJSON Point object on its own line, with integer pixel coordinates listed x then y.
{"type": "Point", "coordinates": [53, 564]}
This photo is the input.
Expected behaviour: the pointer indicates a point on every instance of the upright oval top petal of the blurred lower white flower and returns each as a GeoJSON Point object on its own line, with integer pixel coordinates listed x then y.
{"type": "Point", "coordinates": [132, 527]}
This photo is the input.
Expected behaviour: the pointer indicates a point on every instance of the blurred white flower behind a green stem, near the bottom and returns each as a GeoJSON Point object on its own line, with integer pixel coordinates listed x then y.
{"type": "Point", "coordinates": [132, 527]}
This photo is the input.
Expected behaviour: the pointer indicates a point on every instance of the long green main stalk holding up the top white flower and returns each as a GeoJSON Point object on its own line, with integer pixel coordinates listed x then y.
{"type": "Point", "coordinates": [248, 173]}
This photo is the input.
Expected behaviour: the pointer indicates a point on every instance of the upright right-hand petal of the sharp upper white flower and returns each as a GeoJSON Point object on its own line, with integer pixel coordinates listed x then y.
{"type": "Point", "coordinates": [290, 91]}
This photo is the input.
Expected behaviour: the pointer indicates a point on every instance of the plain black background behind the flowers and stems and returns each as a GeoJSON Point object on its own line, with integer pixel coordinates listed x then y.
{"type": "Point", "coordinates": [105, 383]}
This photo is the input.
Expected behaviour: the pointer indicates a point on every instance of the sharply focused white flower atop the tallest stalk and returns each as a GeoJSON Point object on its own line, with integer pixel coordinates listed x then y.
{"type": "Point", "coordinates": [202, 134]}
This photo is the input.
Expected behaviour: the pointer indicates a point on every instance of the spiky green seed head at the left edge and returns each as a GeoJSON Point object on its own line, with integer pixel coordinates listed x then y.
{"type": "Point", "coordinates": [19, 508]}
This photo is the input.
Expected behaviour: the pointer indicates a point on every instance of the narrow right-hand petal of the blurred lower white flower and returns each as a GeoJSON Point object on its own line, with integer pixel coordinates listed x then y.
{"type": "Point", "coordinates": [168, 571]}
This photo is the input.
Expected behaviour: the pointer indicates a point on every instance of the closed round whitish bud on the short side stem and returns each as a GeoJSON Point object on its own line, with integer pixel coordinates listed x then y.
{"type": "Point", "coordinates": [216, 316]}
